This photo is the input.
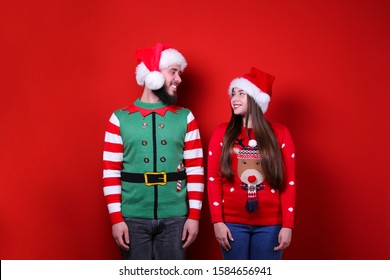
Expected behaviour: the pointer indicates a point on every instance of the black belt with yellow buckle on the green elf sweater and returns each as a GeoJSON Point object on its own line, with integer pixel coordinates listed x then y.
{"type": "Point", "coordinates": [153, 178]}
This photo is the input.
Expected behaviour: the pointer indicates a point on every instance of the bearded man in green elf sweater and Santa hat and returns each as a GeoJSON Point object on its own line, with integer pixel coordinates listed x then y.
{"type": "Point", "coordinates": [153, 164]}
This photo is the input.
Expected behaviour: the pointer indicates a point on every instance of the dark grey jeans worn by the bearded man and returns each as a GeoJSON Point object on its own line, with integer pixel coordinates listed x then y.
{"type": "Point", "coordinates": [155, 239]}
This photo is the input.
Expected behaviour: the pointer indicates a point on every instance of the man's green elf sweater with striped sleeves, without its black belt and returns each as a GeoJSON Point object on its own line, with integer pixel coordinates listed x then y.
{"type": "Point", "coordinates": [152, 137]}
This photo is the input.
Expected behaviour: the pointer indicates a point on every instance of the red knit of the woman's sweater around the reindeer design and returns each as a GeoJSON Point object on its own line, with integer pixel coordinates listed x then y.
{"type": "Point", "coordinates": [227, 199]}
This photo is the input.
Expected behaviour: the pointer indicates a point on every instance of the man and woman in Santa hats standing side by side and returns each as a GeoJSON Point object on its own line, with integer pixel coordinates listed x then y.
{"type": "Point", "coordinates": [154, 178]}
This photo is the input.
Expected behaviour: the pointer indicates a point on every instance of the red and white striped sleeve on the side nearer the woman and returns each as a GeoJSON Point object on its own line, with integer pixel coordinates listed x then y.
{"type": "Point", "coordinates": [193, 162]}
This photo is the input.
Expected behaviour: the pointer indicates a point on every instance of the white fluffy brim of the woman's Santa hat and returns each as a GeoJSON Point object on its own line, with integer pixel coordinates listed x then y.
{"type": "Point", "coordinates": [261, 98]}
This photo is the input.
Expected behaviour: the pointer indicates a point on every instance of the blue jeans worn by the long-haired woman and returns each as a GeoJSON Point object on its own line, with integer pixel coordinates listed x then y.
{"type": "Point", "coordinates": [253, 243]}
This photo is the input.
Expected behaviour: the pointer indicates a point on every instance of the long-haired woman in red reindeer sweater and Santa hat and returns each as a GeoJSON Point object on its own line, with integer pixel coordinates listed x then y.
{"type": "Point", "coordinates": [251, 175]}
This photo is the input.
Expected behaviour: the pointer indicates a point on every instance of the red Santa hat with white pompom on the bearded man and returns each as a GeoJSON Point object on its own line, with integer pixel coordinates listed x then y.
{"type": "Point", "coordinates": [152, 60]}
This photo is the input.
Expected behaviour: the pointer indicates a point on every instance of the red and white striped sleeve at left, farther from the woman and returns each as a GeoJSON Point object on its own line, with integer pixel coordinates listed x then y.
{"type": "Point", "coordinates": [112, 166]}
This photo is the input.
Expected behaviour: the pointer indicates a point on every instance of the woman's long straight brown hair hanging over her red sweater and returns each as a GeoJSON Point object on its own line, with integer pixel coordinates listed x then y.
{"type": "Point", "coordinates": [272, 163]}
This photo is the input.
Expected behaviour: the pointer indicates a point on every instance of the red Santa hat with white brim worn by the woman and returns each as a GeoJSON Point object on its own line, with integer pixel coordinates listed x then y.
{"type": "Point", "coordinates": [256, 84]}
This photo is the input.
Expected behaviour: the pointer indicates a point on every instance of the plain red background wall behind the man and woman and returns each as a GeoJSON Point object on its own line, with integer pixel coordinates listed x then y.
{"type": "Point", "coordinates": [66, 65]}
